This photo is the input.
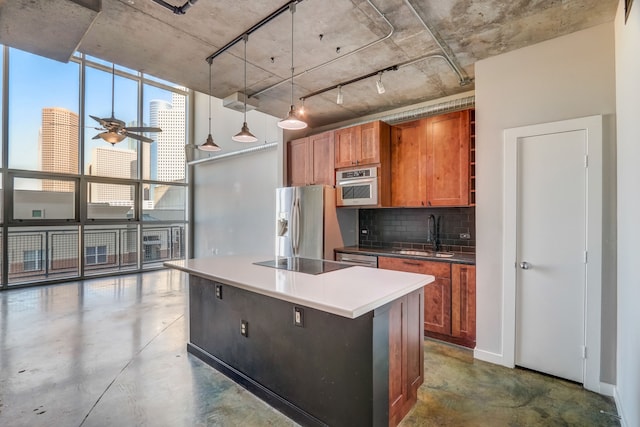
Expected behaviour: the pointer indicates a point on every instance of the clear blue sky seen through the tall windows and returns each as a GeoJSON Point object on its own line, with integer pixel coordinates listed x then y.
{"type": "Point", "coordinates": [36, 82]}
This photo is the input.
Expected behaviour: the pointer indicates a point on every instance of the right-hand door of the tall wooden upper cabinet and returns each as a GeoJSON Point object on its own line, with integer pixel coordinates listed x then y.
{"type": "Point", "coordinates": [448, 159]}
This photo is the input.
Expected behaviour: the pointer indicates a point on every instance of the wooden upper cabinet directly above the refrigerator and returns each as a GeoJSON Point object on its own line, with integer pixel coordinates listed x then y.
{"type": "Point", "coordinates": [310, 160]}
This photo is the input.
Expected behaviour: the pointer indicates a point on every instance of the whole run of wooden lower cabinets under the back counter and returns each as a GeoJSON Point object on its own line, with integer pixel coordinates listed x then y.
{"type": "Point", "coordinates": [449, 301]}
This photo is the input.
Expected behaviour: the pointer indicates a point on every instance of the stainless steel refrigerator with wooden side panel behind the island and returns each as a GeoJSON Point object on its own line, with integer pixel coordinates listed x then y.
{"type": "Point", "coordinates": [308, 224]}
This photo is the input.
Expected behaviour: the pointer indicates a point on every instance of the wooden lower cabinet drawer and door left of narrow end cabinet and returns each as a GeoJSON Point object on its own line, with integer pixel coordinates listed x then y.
{"type": "Point", "coordinates": [437, 294]}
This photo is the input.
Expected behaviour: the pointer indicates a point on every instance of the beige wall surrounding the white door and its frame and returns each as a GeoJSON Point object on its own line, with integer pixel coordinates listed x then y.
{"type": "Point", "coordinates": [567, 77]}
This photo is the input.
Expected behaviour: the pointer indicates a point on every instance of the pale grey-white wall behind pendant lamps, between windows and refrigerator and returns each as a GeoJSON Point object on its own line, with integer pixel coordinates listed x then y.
{"type": "Point", "coordinates": [234, 197]}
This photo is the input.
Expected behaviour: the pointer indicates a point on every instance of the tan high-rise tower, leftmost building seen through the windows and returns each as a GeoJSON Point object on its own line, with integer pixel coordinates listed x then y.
{"type": "Point", "coordinates": [58, 146]}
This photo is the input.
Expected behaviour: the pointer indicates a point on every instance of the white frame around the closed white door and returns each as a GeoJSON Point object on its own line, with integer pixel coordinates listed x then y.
{"type": "Point", "coordinates": [593, 126]}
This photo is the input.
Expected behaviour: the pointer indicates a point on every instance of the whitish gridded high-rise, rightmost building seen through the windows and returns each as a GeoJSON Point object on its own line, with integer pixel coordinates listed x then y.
{"type": "Point", "coordinates": [169, 151]}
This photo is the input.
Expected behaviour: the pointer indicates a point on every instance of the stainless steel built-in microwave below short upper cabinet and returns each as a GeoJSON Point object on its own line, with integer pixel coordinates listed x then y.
{"type": "Point", "coordinates": [357, 187]}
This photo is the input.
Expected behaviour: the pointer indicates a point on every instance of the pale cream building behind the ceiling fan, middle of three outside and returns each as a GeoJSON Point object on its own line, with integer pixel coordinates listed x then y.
{"type": "Point", "coordinates": [115, 163]}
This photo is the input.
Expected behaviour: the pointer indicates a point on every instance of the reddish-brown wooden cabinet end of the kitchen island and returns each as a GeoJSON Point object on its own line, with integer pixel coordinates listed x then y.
{"type": "Point", "coordinates": [406, 358]}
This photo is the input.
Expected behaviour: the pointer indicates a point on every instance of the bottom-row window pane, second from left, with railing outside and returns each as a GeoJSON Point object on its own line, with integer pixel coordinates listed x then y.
{"type": "Point", "coordinates": [110, 248]}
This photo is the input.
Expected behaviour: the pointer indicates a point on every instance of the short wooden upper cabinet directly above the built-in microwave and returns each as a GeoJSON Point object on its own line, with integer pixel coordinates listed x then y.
{"type": "Point", "coordinates": [361, 145]}
